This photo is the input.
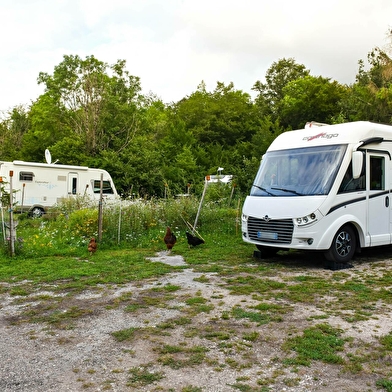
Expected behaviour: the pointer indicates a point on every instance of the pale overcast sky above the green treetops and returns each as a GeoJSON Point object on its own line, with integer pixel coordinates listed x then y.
{"type": "Point", "coordinates": [172, 45]}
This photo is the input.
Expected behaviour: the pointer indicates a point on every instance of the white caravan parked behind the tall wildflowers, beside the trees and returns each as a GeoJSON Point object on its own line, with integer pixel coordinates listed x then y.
{"type": "Point", "coordinates": [39, 186]}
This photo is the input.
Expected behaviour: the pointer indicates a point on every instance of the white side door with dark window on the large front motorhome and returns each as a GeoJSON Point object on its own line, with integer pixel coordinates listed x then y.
{"type": "Point", "coordinates": [379, 198]}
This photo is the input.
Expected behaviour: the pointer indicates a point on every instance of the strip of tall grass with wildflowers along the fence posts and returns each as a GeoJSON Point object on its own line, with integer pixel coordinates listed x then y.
{"type": "Point", "coordinates": [135, 223]}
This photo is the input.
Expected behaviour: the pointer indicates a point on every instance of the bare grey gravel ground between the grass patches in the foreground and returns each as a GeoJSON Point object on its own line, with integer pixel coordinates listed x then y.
{"type": "Point", "coordinates": [38, 357]}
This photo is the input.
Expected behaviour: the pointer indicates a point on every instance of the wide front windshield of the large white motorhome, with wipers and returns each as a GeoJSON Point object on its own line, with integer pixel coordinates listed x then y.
{"type": "Point", "coordinates": [298, 171]}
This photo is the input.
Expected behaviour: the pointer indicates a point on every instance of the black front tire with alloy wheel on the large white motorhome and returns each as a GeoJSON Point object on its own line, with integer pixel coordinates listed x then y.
{"type": "Point", "coordinates": [343, 245]}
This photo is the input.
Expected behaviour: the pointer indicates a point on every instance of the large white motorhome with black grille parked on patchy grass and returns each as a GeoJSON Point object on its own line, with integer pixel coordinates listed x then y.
{"type": "Point", "coordinates": [325, 187]}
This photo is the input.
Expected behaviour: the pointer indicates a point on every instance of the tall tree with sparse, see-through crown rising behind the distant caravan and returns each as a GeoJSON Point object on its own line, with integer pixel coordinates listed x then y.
{"type": "Point", "coordinates": [98, 101]}
